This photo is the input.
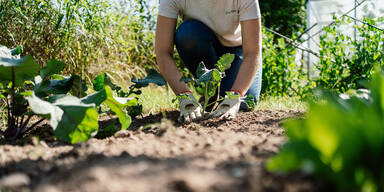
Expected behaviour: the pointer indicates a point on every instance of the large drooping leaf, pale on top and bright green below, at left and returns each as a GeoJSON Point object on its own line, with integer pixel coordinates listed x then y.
{"type": "Point", "coordinates": [71, 120]}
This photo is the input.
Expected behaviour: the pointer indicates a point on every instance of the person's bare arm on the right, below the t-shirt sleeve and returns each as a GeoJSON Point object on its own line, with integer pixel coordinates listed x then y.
{"type": "Point", "coordinates": [251, 35]}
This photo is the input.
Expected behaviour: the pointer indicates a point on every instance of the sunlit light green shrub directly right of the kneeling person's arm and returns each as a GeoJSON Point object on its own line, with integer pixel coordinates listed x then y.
{"type": "Point", "coordinates": [282, 76]}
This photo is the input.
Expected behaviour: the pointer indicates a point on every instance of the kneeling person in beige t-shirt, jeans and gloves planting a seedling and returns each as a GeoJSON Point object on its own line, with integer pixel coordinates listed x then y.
{"type": "Point", "coordinates": [210, 29]}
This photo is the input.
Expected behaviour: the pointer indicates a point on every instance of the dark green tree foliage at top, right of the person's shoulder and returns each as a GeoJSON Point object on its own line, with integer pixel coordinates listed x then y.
{"type": "Point", "coordinates": [287, 17]}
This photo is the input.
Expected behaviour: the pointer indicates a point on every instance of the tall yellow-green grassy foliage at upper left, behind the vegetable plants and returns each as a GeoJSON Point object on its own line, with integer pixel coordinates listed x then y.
{"type": "Point", "coordinates": [89, 35]}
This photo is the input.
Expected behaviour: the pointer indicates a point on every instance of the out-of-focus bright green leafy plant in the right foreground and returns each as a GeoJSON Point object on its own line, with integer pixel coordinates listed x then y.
{"type": "Point", "coordinates": [341, 141]}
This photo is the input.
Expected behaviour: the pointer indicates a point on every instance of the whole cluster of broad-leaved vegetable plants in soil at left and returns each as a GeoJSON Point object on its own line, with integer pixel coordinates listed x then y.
{"type": "Point", "coordinates": [28, 94]}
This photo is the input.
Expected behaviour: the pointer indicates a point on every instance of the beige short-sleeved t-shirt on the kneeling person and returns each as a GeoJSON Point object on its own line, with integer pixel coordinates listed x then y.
{"type": "Point", "coordinates": [221, 16]}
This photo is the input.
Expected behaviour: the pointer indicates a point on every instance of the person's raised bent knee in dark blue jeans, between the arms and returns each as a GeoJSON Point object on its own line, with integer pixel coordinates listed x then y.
{"type": "Point", "coordinates": [195, 42]}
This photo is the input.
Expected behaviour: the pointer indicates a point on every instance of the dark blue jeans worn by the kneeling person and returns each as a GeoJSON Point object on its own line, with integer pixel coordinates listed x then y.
{"type": "Point", "coordinates": [195, 42]}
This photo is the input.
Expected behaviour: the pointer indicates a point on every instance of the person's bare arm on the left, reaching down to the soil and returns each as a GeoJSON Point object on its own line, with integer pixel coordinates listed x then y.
{"type": "Point", "coordinates": [164, 43]}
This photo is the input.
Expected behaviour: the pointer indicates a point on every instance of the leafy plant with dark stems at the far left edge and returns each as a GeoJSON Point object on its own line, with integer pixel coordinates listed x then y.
{"type": "Point", "coordinates": [14, 70]}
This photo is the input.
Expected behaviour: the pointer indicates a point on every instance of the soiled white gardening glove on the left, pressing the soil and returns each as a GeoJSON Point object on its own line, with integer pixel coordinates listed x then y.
{"type": "Point", "coordinates": [190, 109]}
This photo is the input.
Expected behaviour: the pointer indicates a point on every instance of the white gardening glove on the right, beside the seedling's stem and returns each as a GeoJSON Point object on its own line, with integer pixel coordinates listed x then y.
{"type": "Point", "coordinates": [229, 108]}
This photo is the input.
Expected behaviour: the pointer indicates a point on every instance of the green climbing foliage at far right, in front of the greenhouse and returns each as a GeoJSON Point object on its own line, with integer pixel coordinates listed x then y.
{"type": "Point", "coordinates": [344, 62]}
